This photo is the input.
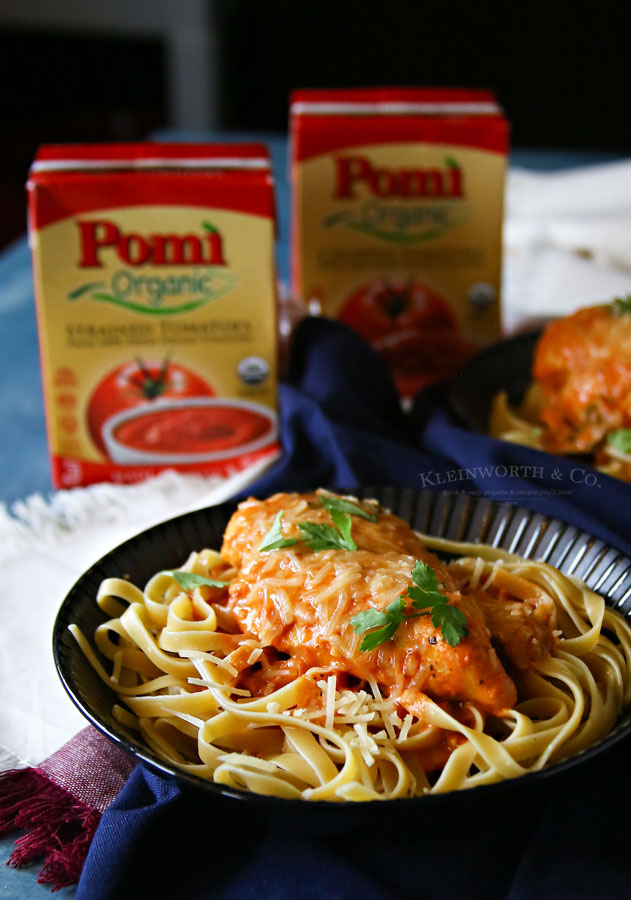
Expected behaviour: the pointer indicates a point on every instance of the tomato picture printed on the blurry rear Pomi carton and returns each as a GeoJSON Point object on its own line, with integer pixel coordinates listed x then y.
{"type": "Point", "coordinates": [412, 327]}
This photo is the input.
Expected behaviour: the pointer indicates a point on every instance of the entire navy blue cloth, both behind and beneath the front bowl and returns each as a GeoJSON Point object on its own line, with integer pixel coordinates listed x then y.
{"type": "Point", "coordinates": [342, 426]}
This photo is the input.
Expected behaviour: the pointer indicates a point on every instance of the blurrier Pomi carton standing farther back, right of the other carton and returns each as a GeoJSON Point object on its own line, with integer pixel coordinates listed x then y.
{"type": "Point", "coordinates": [397, 201]}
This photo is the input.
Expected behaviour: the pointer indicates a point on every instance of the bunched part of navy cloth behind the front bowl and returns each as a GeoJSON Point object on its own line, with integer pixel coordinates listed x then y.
{"type": "Point", "coordinates": [343, 426]}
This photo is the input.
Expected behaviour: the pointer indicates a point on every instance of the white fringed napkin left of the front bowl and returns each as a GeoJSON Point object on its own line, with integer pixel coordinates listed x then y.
{"type": "Point", "coordinates": [44, 547]}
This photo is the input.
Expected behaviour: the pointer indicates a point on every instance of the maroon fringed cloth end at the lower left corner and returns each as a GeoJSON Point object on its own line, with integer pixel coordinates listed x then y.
{"type": "Point", "coordinates": [59, 804]}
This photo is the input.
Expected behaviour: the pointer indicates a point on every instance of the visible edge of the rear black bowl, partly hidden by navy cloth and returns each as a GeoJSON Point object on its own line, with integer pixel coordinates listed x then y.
{"type": "Point", "coordinates": [505, 366]}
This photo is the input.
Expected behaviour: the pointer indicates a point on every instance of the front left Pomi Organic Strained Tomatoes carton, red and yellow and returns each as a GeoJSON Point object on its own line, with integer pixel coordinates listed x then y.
{"type": "Point", "coordinates": [155, 292]}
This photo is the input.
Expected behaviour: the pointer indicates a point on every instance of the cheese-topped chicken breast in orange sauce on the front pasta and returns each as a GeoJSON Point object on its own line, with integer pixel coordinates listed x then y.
{"type": "Point", "coordinates": [301, 602]}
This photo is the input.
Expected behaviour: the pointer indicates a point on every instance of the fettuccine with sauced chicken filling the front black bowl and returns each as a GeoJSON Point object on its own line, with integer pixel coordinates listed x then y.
{"type": "Point", "coordinates": [215, 698]}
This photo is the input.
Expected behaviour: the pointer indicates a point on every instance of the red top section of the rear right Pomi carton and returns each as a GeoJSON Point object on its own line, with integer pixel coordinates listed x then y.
{"type": "Point", "coordinates": [334, 119]}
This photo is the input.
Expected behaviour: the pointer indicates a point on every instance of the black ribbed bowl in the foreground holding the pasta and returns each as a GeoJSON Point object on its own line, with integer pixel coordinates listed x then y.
{"type": "Point", "coordinates": [464, 518]}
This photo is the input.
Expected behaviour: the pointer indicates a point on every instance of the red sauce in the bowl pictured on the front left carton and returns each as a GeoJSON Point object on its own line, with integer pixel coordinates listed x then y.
{"type": "Point", "coordinates": [193, 429]}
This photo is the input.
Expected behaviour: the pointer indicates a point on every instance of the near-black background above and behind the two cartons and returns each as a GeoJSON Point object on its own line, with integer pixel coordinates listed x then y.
{"type": "Point", "coordinates": [561, 72]}
